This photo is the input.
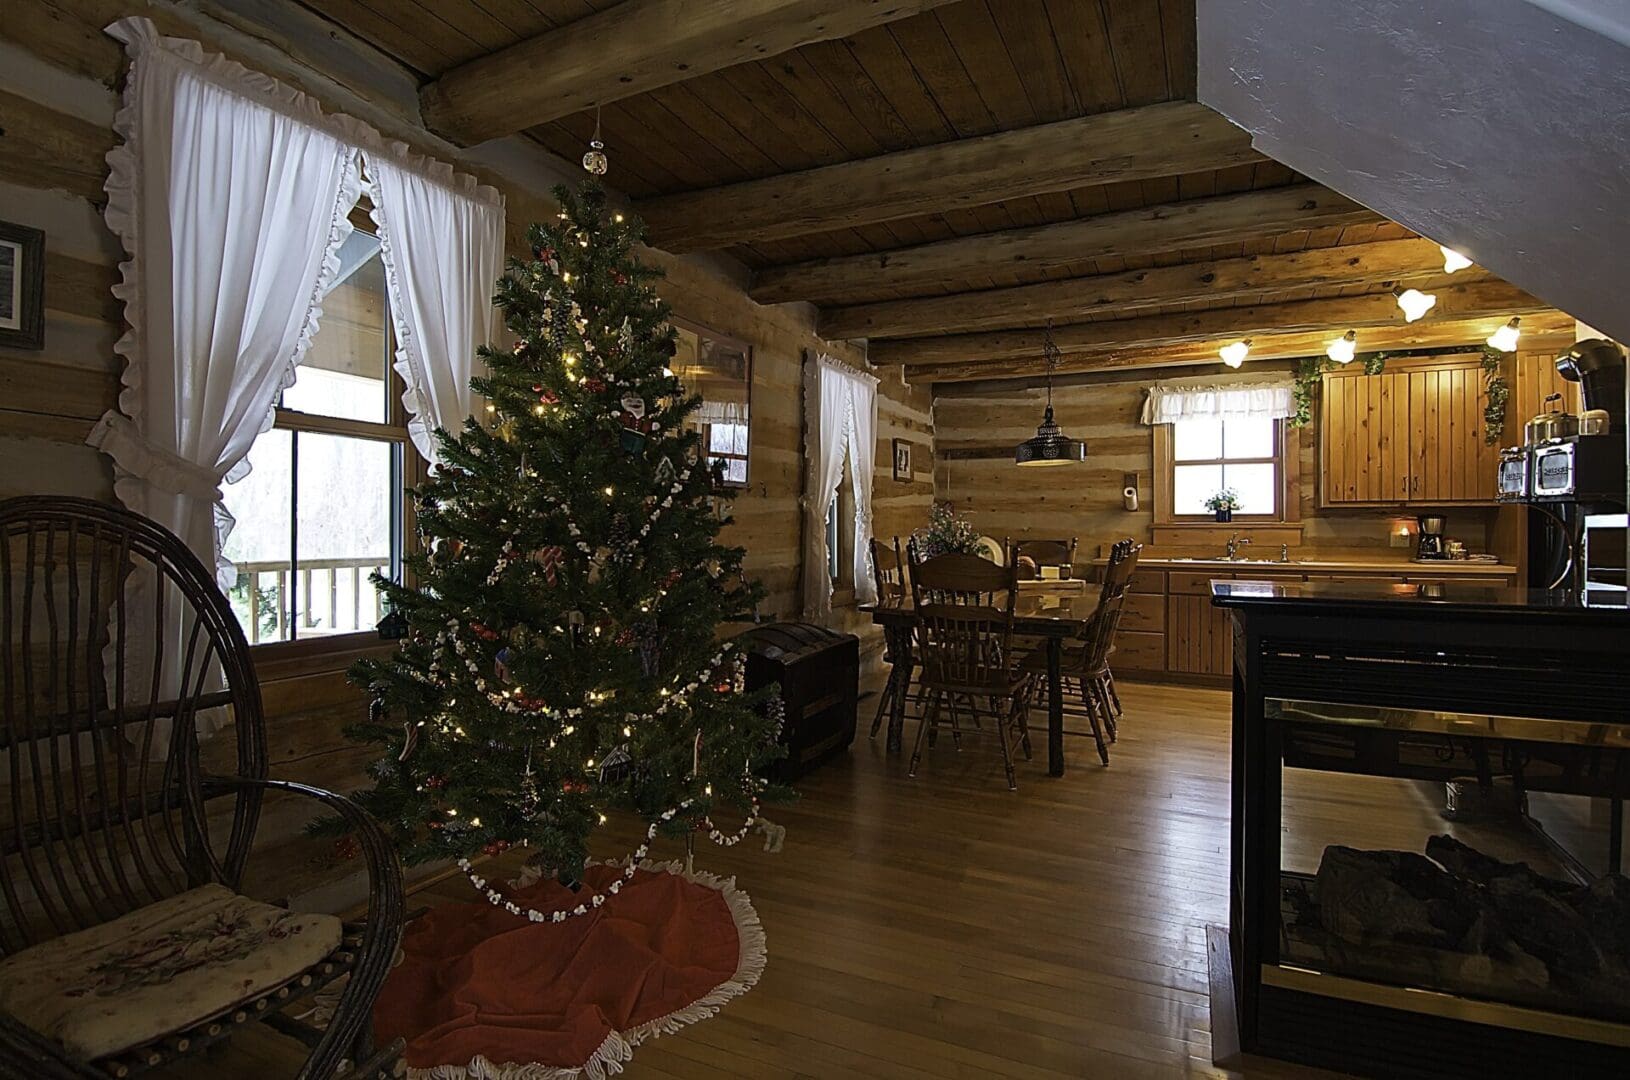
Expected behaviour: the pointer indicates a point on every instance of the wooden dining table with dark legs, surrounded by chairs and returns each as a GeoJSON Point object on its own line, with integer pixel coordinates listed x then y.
{"type": "Point", "coordinates": [1052, 615]}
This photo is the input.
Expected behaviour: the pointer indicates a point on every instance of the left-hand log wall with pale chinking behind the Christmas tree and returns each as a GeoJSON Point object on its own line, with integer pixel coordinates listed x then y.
{"type": "Point", "coordinates": [58, 95]}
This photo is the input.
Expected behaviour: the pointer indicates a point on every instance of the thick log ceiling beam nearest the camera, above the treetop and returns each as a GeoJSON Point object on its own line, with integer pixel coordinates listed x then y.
{"type": "Point", "coordinates": [632, 48]}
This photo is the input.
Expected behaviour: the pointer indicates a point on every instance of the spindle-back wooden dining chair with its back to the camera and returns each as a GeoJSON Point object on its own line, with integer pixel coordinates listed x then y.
{"type": "Point", "coordinates": [964, 638]}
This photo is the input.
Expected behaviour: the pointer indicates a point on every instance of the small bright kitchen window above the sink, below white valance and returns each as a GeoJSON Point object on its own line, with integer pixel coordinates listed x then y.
{"type": "Point", "coordinates": [1202, 457]}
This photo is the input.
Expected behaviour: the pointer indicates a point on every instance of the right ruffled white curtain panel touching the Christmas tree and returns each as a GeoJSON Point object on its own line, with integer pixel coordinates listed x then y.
{"type": "Point", "coordinates": [444, 252]}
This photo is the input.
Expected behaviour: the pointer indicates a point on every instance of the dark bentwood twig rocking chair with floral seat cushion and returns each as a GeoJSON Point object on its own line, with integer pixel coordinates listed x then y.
{"type": "Point", "coordinates": [126, 942]}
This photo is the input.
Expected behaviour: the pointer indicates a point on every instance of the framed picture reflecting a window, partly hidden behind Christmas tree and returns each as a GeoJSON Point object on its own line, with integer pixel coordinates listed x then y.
{"type": "Point", "coordinates": [721, 371]}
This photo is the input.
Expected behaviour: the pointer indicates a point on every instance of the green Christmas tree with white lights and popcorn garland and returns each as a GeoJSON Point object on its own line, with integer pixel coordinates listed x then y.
{"type": "Point", "coordinates": [562, 656]}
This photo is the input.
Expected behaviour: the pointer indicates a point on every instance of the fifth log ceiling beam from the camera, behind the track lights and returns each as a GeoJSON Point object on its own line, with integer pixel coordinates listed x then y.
{"type": "Point", "coordinates": [1212, 328]}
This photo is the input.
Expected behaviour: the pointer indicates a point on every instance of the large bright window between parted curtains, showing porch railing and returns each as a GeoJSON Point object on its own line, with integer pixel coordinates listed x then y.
{"type": "Point", "coordinates": [324, 504]}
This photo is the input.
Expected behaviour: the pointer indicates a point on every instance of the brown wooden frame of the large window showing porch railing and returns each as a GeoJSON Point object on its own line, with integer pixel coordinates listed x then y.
{"type": "Point", "coordinates": [408, 470]}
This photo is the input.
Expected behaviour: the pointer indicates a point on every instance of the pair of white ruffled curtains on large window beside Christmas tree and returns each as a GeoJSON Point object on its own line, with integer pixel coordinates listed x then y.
{"type": "Point", "coordinates": [231, 195]}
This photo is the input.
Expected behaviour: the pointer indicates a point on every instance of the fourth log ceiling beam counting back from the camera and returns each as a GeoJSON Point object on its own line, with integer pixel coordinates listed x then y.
{"type": "Point", "coordinates": [1132, 291]}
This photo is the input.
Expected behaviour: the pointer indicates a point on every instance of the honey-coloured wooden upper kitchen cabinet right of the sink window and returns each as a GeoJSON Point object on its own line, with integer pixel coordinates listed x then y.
{"type": "Point", "coordinates": [1412, 434]}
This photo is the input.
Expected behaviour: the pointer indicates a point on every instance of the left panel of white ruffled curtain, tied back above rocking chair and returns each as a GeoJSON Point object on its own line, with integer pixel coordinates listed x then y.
{"type": "Point", "coordinates": [232, 211]}
